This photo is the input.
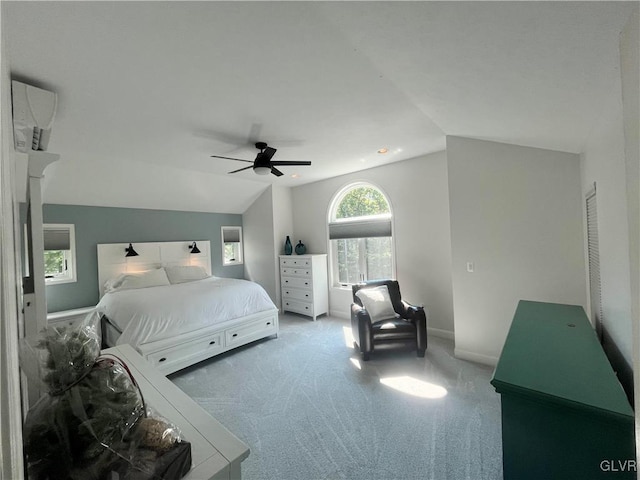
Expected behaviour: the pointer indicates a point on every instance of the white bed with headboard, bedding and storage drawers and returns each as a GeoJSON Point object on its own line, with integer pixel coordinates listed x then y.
{"type": "Point", "coordinates": [166, 304]}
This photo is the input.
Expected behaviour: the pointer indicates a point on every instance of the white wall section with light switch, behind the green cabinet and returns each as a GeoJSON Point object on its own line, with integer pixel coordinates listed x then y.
{"type": "Point", "coordinates": [516, 214]}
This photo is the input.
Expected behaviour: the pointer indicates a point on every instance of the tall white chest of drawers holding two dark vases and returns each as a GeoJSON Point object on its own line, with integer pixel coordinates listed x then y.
{"type": "Point", "coordinates": [303, 280]}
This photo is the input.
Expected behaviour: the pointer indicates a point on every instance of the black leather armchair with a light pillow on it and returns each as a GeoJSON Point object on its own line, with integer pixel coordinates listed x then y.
{"type": "Point", "coordinates": [404, 326]}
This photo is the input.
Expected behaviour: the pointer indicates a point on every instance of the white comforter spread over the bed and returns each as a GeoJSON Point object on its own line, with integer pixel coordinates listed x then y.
{"type": "Point", "coordinates": [155, 313]}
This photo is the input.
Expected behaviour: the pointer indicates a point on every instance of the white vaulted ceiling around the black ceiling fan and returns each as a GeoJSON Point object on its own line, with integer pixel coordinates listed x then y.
{"type": "Point", "coordinates": [147, 91]}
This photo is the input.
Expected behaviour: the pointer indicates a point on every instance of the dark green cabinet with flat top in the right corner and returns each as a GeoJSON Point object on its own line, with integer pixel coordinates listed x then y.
{"type": "Point", "coordinates": [564, 414]}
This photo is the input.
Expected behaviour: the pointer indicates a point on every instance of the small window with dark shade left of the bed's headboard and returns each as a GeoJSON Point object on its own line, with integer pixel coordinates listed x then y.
{"type": "Point", "coordinates": [59, 253]}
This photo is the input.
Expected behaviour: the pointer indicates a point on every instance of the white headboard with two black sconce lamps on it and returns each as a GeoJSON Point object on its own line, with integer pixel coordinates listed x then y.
{"type": "Point", "coordinates": [112, 260]}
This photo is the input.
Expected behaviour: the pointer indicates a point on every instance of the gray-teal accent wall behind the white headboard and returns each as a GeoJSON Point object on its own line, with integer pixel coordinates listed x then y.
{"type": "Point", "coordinates": [94, 225]}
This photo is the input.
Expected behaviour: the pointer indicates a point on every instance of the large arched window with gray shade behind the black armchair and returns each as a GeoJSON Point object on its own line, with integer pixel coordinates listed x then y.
{"type": "Point", "coordinates": [360, 235]}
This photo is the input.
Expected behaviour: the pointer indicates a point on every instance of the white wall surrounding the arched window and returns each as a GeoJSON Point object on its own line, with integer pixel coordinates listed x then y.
{"type": "Point", "coordinates": [417, 190]}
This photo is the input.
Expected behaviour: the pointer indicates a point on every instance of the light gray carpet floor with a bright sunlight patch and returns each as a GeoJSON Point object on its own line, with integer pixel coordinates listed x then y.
{"type": "Point", "coordinates": [308, 409]}
